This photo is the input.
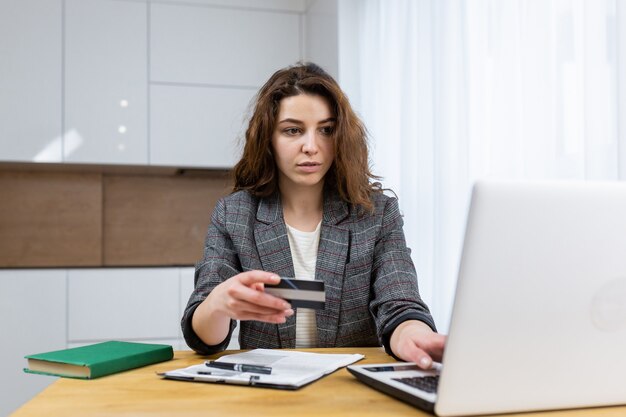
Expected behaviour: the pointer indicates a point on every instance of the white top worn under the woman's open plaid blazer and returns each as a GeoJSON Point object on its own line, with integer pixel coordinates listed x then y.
{"type": "Point", "coordinates": [303, 247]}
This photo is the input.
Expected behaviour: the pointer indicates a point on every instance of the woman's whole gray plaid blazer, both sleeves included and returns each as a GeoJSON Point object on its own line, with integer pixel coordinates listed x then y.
{"type": "Point", "coordinates": [370, 279]}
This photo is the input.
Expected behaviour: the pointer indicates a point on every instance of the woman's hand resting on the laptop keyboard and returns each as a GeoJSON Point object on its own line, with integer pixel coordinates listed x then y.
{"type": "Point", "coordinates": [414, 341]}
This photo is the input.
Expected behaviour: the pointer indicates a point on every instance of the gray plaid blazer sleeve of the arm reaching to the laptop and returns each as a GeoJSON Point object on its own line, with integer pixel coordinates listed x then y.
{"type": "Point", "coordinates": [396, 296]}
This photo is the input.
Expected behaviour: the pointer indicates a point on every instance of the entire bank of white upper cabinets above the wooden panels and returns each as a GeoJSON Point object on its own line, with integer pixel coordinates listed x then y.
{"type": "Point", "coordinates": [100, 81]}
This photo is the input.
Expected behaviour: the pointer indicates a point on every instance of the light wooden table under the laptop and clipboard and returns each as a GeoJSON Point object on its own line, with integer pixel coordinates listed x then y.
{"type": "Point", "coordinates": [141, 392]}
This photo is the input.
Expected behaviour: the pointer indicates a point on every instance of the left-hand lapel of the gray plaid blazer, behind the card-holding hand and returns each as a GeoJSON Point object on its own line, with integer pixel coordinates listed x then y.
{"type": "Point", "coordinates": [272, 244]}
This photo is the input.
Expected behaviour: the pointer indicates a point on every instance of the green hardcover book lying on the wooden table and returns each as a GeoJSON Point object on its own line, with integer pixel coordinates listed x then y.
{"type": "Point", "coordinates": [97, 360]}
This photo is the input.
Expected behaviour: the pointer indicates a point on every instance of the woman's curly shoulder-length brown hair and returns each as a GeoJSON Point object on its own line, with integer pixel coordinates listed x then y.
{"type": "Point", "coordinates": [350, 175]}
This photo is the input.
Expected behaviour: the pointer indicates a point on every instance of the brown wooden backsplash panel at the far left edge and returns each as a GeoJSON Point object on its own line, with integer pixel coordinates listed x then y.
{"type": "Point", "coordinates": [50, 219]}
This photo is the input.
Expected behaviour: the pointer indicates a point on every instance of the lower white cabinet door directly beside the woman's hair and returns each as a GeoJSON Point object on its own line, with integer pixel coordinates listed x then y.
{"type": "Point", "coordinates": [197, 126]}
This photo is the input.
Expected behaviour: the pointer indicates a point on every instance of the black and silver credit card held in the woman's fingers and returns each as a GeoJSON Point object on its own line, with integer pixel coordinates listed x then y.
{"type": "Point", "coordinates": [299, 292]}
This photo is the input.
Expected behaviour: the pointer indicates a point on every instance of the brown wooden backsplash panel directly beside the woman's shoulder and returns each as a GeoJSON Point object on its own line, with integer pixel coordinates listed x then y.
{"type": "Point", "coordinates": [158, 220]}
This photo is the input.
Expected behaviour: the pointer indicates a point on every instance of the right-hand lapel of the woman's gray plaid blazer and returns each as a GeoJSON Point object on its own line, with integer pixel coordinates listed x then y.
{"type": "Point", "coordinates": [331, 261]}
